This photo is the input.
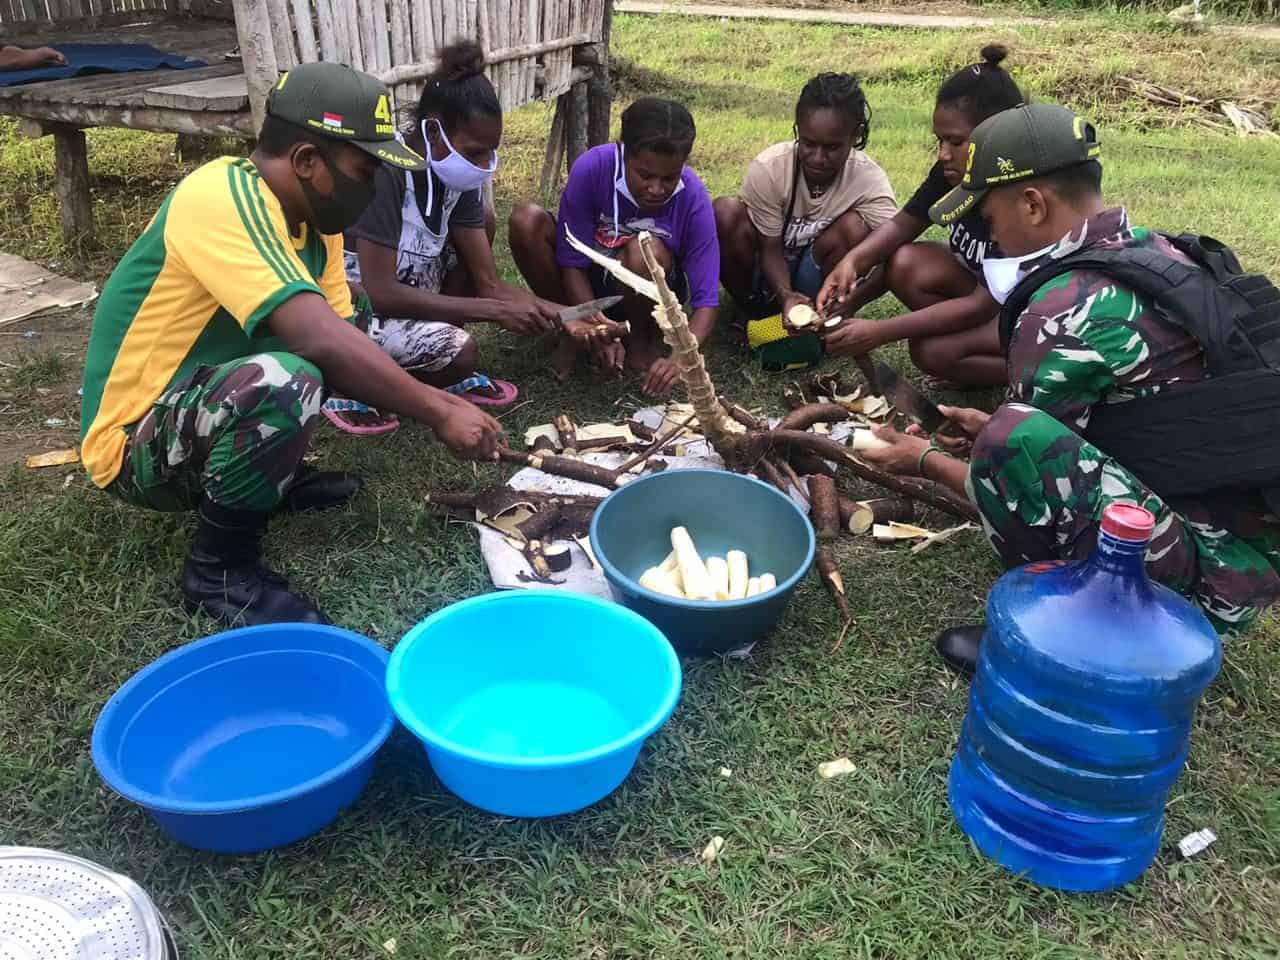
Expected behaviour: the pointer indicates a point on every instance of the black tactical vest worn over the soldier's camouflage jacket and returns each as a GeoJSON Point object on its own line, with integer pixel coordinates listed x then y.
{"type": "Point", "coordinates": [1213, 437]}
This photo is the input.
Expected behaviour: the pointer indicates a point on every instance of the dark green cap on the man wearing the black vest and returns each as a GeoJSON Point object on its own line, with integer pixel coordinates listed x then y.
{"type": "Point", "coordinates": [1018, 145]}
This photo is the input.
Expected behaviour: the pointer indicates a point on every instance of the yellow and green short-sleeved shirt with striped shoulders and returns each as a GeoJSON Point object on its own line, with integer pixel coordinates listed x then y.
{"type": "Point", "coordinates": [193, 291]}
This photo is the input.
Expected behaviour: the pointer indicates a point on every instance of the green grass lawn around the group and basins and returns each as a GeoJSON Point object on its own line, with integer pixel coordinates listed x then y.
{"type": "Point", "coordinates": [867, 866]}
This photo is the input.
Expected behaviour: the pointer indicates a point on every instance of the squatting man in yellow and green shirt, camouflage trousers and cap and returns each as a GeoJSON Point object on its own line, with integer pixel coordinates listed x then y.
{"type": "Point", "coordinates": [220, 331]}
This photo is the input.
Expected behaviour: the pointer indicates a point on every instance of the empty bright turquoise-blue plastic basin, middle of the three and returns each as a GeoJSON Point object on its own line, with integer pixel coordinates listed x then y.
{"type": "Point", "coordinates": [533, 705]}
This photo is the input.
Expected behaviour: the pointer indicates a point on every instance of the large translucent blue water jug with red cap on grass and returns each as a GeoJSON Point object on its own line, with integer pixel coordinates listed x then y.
{"type": "Point", "coordinates": [1081, 714]}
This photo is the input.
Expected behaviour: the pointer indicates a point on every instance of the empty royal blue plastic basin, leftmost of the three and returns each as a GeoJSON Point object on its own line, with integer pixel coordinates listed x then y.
{"type": "Point", "coordinates": [250, 739]}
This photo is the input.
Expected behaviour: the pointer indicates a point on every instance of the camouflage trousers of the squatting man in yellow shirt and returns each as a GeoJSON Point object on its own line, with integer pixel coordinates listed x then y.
{"type": "Point", "coordinates": [235, 433]}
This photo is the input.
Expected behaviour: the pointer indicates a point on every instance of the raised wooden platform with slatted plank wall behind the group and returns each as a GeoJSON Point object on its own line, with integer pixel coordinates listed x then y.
{"type": "Point", "coordinates": [538, 49]}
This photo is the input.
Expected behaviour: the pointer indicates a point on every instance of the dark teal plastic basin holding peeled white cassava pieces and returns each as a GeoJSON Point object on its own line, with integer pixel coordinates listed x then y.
{"type": "Point", "coordinates": [724, 511]}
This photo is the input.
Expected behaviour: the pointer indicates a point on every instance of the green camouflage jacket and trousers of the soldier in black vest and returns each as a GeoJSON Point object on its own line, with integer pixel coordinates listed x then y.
{"type": "Point", "coordinates": [1041, 488]}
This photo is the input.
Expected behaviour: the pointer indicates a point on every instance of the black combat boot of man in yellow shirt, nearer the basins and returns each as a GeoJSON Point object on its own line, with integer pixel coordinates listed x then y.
{"type": "Point", "coordinates": [225, 578]}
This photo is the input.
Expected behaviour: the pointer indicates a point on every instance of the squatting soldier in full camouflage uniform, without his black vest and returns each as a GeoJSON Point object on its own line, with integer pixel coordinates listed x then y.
{"type": "Point", "coordinates": [1082, 341]}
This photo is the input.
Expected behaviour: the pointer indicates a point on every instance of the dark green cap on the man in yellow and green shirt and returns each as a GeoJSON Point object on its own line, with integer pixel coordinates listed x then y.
{"type": "Point", "coordinates": [340, 103]}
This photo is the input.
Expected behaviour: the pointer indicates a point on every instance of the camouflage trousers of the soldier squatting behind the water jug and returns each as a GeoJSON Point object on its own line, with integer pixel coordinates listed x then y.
{"type": "Point", "coordinates": [1041, 491]}
